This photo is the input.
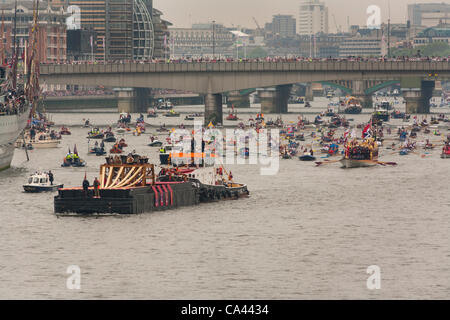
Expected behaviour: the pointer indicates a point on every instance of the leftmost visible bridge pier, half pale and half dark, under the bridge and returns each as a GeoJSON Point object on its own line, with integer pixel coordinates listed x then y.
{"type": "Point", "coordinates": [132, 100]}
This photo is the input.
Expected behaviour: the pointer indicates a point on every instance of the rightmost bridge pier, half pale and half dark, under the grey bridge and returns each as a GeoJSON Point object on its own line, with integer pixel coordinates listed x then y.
{"type": "Point", "coordinates": [417, 97]}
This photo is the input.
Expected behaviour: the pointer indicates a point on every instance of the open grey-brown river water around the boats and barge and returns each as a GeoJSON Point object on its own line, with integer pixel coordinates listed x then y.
{"type": "Point", "coordinates": [306, 232]}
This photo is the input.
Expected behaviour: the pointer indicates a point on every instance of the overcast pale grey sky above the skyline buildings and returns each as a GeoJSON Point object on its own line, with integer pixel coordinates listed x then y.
{"type": "Point", "coordinates": [182, 13]}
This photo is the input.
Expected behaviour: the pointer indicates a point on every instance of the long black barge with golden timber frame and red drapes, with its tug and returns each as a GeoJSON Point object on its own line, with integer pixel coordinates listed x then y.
{"type": "Point", "coordinates": [129, 185]}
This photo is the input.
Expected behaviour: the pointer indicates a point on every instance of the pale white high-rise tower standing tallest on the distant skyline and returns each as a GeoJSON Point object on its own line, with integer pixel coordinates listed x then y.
{"type": "Point", "coordinates": [313, 18]}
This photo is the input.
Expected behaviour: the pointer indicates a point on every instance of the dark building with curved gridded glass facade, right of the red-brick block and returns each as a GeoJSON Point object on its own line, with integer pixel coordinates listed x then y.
{"type": "Point", "coordinates": [124, 29]}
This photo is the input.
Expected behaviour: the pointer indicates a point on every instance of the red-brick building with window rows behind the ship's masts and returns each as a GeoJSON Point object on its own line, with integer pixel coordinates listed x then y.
{"type": "Point", "coordinates": [51, 30]}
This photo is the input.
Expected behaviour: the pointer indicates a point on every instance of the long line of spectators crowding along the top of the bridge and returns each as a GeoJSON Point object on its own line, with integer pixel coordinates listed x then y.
{"type": "Point", "coordinates": [267, 59]}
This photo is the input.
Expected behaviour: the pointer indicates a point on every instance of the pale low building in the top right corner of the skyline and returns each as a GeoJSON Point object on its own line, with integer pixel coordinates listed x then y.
{"type": "Point", "coordinates": [429, 14]}
